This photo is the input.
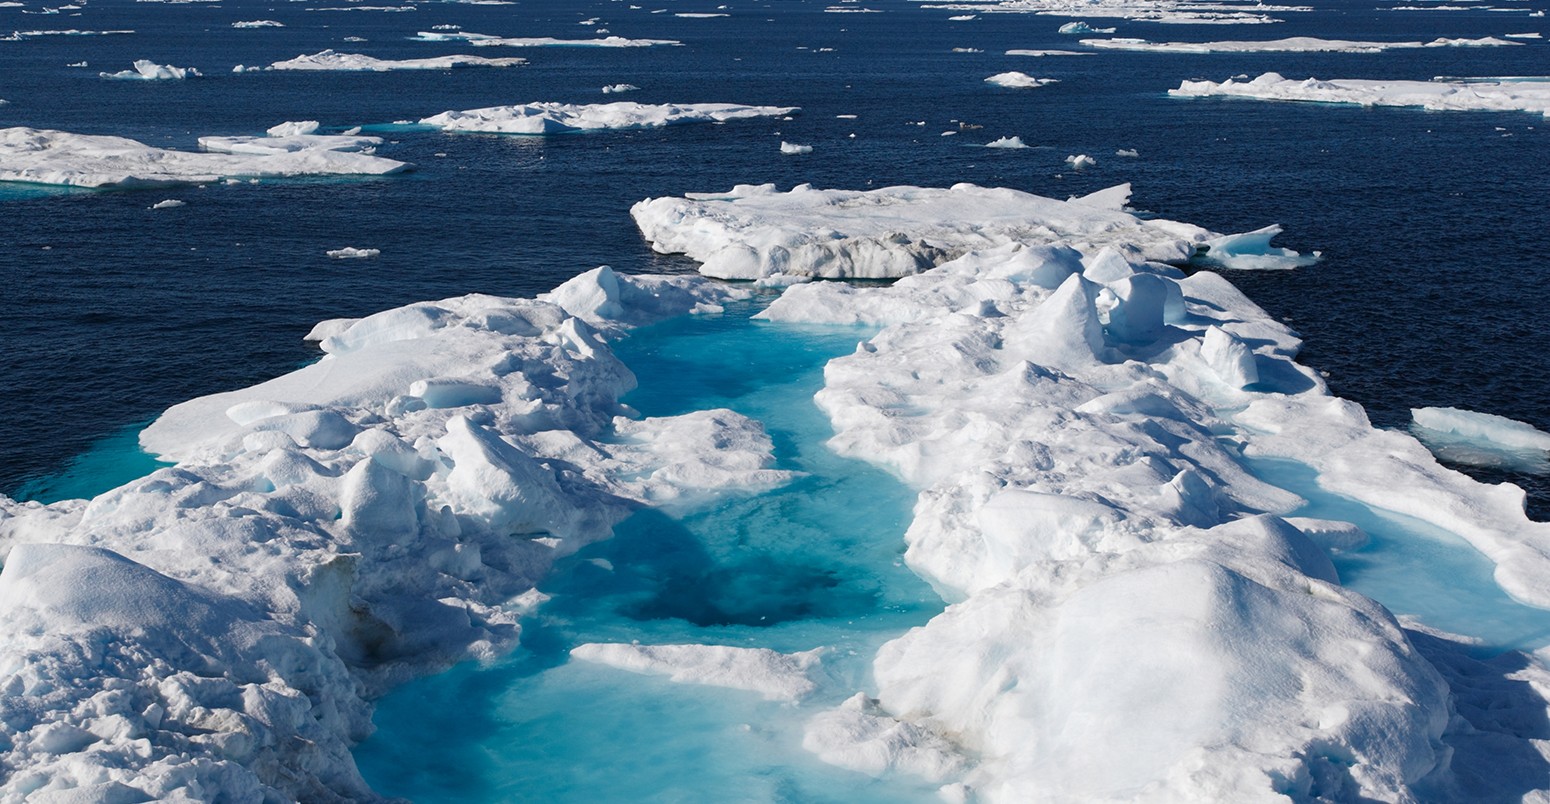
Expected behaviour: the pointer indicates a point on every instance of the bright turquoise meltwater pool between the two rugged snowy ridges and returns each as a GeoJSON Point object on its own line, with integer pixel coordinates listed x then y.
{"type": "Point", "coordinates": [818, 563]}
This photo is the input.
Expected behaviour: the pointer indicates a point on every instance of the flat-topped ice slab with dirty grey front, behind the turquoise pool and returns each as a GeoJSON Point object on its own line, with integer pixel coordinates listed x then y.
{"type": "Point", "coordinates": [759, 232]}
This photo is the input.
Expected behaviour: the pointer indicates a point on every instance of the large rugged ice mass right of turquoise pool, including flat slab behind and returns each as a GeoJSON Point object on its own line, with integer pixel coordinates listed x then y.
{"type": "Point", "coordinates": [1132, 616]}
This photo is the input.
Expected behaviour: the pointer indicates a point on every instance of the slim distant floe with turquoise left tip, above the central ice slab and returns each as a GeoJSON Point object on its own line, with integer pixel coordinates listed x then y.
{"type": "Point", "coordinates": [560, 119]}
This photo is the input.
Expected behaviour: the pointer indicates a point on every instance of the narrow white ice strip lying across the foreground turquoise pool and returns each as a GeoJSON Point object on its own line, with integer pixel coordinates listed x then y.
{"type": "Point", "coordinates": [756, 670]}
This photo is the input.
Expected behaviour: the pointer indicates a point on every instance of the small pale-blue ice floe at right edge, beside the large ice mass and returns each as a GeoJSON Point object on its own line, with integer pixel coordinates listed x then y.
{"type": "Point", "coordinates": [1483, 439]}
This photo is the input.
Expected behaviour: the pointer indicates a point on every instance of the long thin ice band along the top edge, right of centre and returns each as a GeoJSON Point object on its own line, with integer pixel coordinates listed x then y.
{"type": "Point", "coordinates": [1162, 12]}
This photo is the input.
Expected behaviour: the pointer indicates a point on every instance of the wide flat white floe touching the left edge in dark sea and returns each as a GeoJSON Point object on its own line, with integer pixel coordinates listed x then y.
{"type": "Point", "coordinates": [49, 157]}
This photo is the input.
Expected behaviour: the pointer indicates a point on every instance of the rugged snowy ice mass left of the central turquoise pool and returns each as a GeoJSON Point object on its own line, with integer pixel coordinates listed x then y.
{"type": "Point", "coordinates": [215, 631]}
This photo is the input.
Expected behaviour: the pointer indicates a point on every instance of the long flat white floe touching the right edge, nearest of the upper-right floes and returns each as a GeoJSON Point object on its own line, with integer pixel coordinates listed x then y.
{"type": "Point", "coordinates": [1459, 95]}
